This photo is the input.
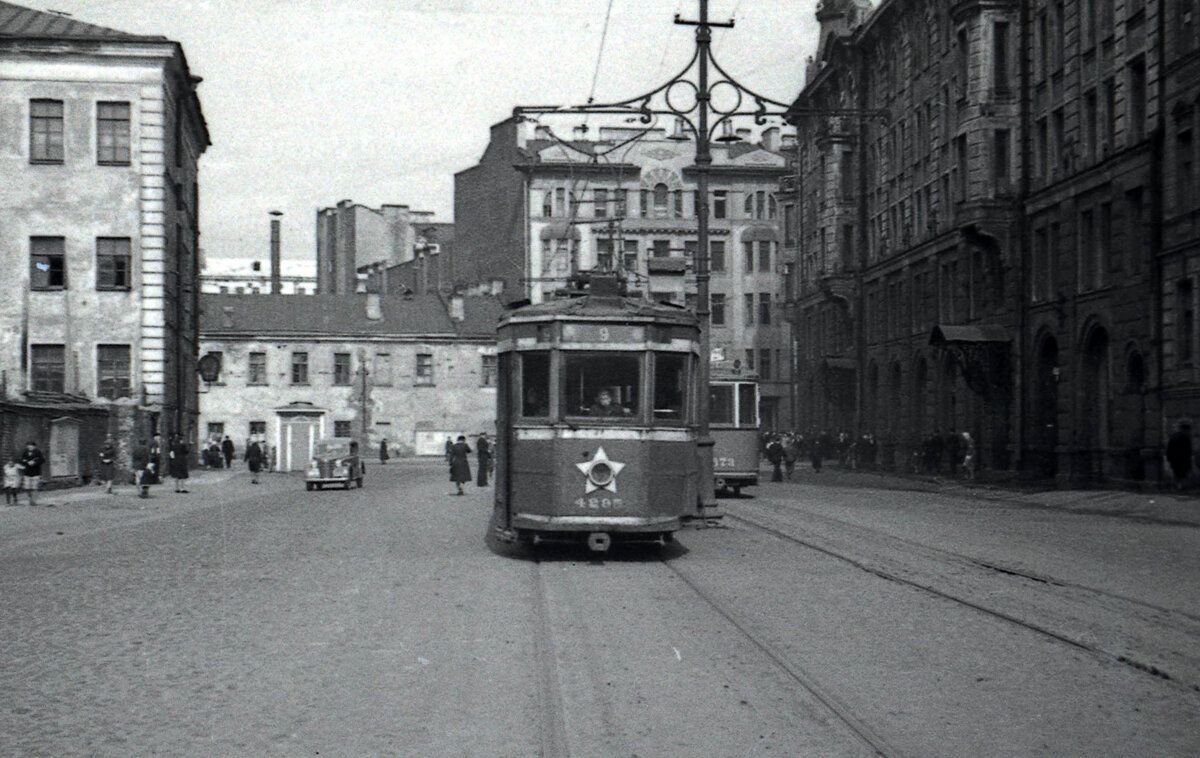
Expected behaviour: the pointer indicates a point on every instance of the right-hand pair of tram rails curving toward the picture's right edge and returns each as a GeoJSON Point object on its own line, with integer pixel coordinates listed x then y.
{"type": "Point", "coordinates": [1109, 643]}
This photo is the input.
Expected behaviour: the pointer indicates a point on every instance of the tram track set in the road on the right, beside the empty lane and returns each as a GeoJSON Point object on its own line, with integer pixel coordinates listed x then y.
{"type": "Point", "coordinates": [1160, 642]}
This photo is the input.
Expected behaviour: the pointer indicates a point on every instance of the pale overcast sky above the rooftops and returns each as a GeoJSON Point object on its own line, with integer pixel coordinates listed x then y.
{"type": "Point", "coordinates": [310, 103]}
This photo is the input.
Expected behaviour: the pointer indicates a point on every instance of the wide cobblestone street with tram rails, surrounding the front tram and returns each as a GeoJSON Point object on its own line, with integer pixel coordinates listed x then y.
{"type": "Point", "coordinates": [827, 618]}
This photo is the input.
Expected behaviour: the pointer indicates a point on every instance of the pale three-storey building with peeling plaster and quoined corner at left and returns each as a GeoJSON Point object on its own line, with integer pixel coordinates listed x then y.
{"type": "Point", "coordinates": [101, 137]}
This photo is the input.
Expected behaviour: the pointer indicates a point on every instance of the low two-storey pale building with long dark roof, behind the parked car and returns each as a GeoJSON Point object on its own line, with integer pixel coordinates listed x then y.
{"type": "Point", "coordinates": [297, 370]}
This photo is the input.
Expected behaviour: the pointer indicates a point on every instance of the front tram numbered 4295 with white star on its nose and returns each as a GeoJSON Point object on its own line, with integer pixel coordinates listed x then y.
{"type": "Point", "coordinates": [596, 419]}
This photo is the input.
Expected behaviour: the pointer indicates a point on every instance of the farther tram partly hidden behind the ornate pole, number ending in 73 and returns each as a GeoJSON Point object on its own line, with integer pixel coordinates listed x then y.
{"type": "Point", "coordinates": [734, 423]}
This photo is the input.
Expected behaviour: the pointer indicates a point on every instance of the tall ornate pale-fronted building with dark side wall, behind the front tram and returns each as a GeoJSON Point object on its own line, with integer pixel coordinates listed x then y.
{"type": "Point", "coordinates": [537, 209]}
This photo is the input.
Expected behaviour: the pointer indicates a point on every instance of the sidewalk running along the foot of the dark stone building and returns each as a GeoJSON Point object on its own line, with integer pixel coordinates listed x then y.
{"type": "Point", "coordinates": [1161, 508]}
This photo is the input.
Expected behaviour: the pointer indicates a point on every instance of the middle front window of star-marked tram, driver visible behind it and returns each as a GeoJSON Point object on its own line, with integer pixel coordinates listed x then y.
{"type": "Point", "coordinates": [602, 386]}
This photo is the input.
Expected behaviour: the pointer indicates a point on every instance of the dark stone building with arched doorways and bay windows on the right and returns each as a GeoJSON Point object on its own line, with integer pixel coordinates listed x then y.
{"type": "Point", "coordinates": [983, 257]}
